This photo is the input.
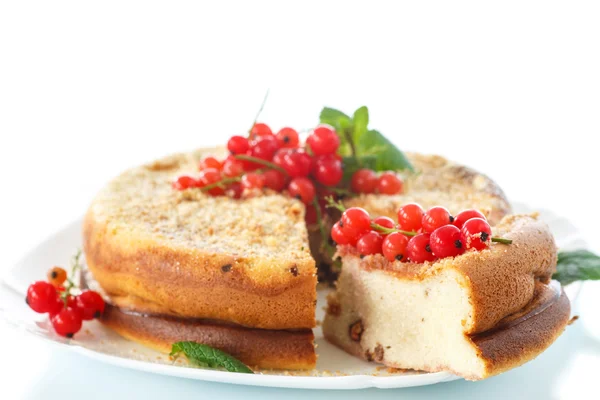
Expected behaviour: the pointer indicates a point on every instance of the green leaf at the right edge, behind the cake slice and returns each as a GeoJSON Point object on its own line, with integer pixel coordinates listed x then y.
{"type": "Point", "coordinates": [578, 265]}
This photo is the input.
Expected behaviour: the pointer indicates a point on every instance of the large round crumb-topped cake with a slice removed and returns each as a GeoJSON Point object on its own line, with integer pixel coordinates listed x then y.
{"type": "Point", "coordinates": [236, 274]}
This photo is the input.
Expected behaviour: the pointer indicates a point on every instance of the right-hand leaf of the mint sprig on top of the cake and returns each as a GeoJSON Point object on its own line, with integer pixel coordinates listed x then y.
{"type": "Point", "coordinates": [389, 157]}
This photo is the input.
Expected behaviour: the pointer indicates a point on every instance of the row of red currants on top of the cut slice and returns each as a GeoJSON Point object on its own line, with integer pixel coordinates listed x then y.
{"type": "Point", "coordinates": [418, 236]}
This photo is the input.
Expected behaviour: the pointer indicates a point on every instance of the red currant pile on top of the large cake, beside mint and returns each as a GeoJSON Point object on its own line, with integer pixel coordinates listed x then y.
{"type": "Point", "coordinates": [265, 160]}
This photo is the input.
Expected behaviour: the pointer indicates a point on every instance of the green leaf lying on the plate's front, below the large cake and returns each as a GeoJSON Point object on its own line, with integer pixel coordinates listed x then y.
{"type": "Point", "coordinates": [206, 356]}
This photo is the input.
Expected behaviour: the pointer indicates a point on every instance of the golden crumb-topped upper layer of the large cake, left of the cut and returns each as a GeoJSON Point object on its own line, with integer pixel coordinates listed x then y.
{"type": "Point", "coordinates": [188, 254]}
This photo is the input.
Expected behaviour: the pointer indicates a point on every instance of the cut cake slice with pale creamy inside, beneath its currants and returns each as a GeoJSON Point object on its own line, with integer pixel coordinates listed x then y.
{"type": "Point", "coordinates": [475, 315]}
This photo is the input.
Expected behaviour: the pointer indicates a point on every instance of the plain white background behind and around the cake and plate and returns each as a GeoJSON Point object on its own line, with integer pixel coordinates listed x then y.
{"type": "Point", "coordinates": [88, 89]}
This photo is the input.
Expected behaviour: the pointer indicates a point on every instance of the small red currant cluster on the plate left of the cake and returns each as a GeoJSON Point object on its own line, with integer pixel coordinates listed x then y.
{"type": "Point", "coordinates": [67, 311]}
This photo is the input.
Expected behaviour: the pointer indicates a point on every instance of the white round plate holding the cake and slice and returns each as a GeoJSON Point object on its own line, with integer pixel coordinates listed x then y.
{"type": "Point", "coordinates": [335, 369]}
